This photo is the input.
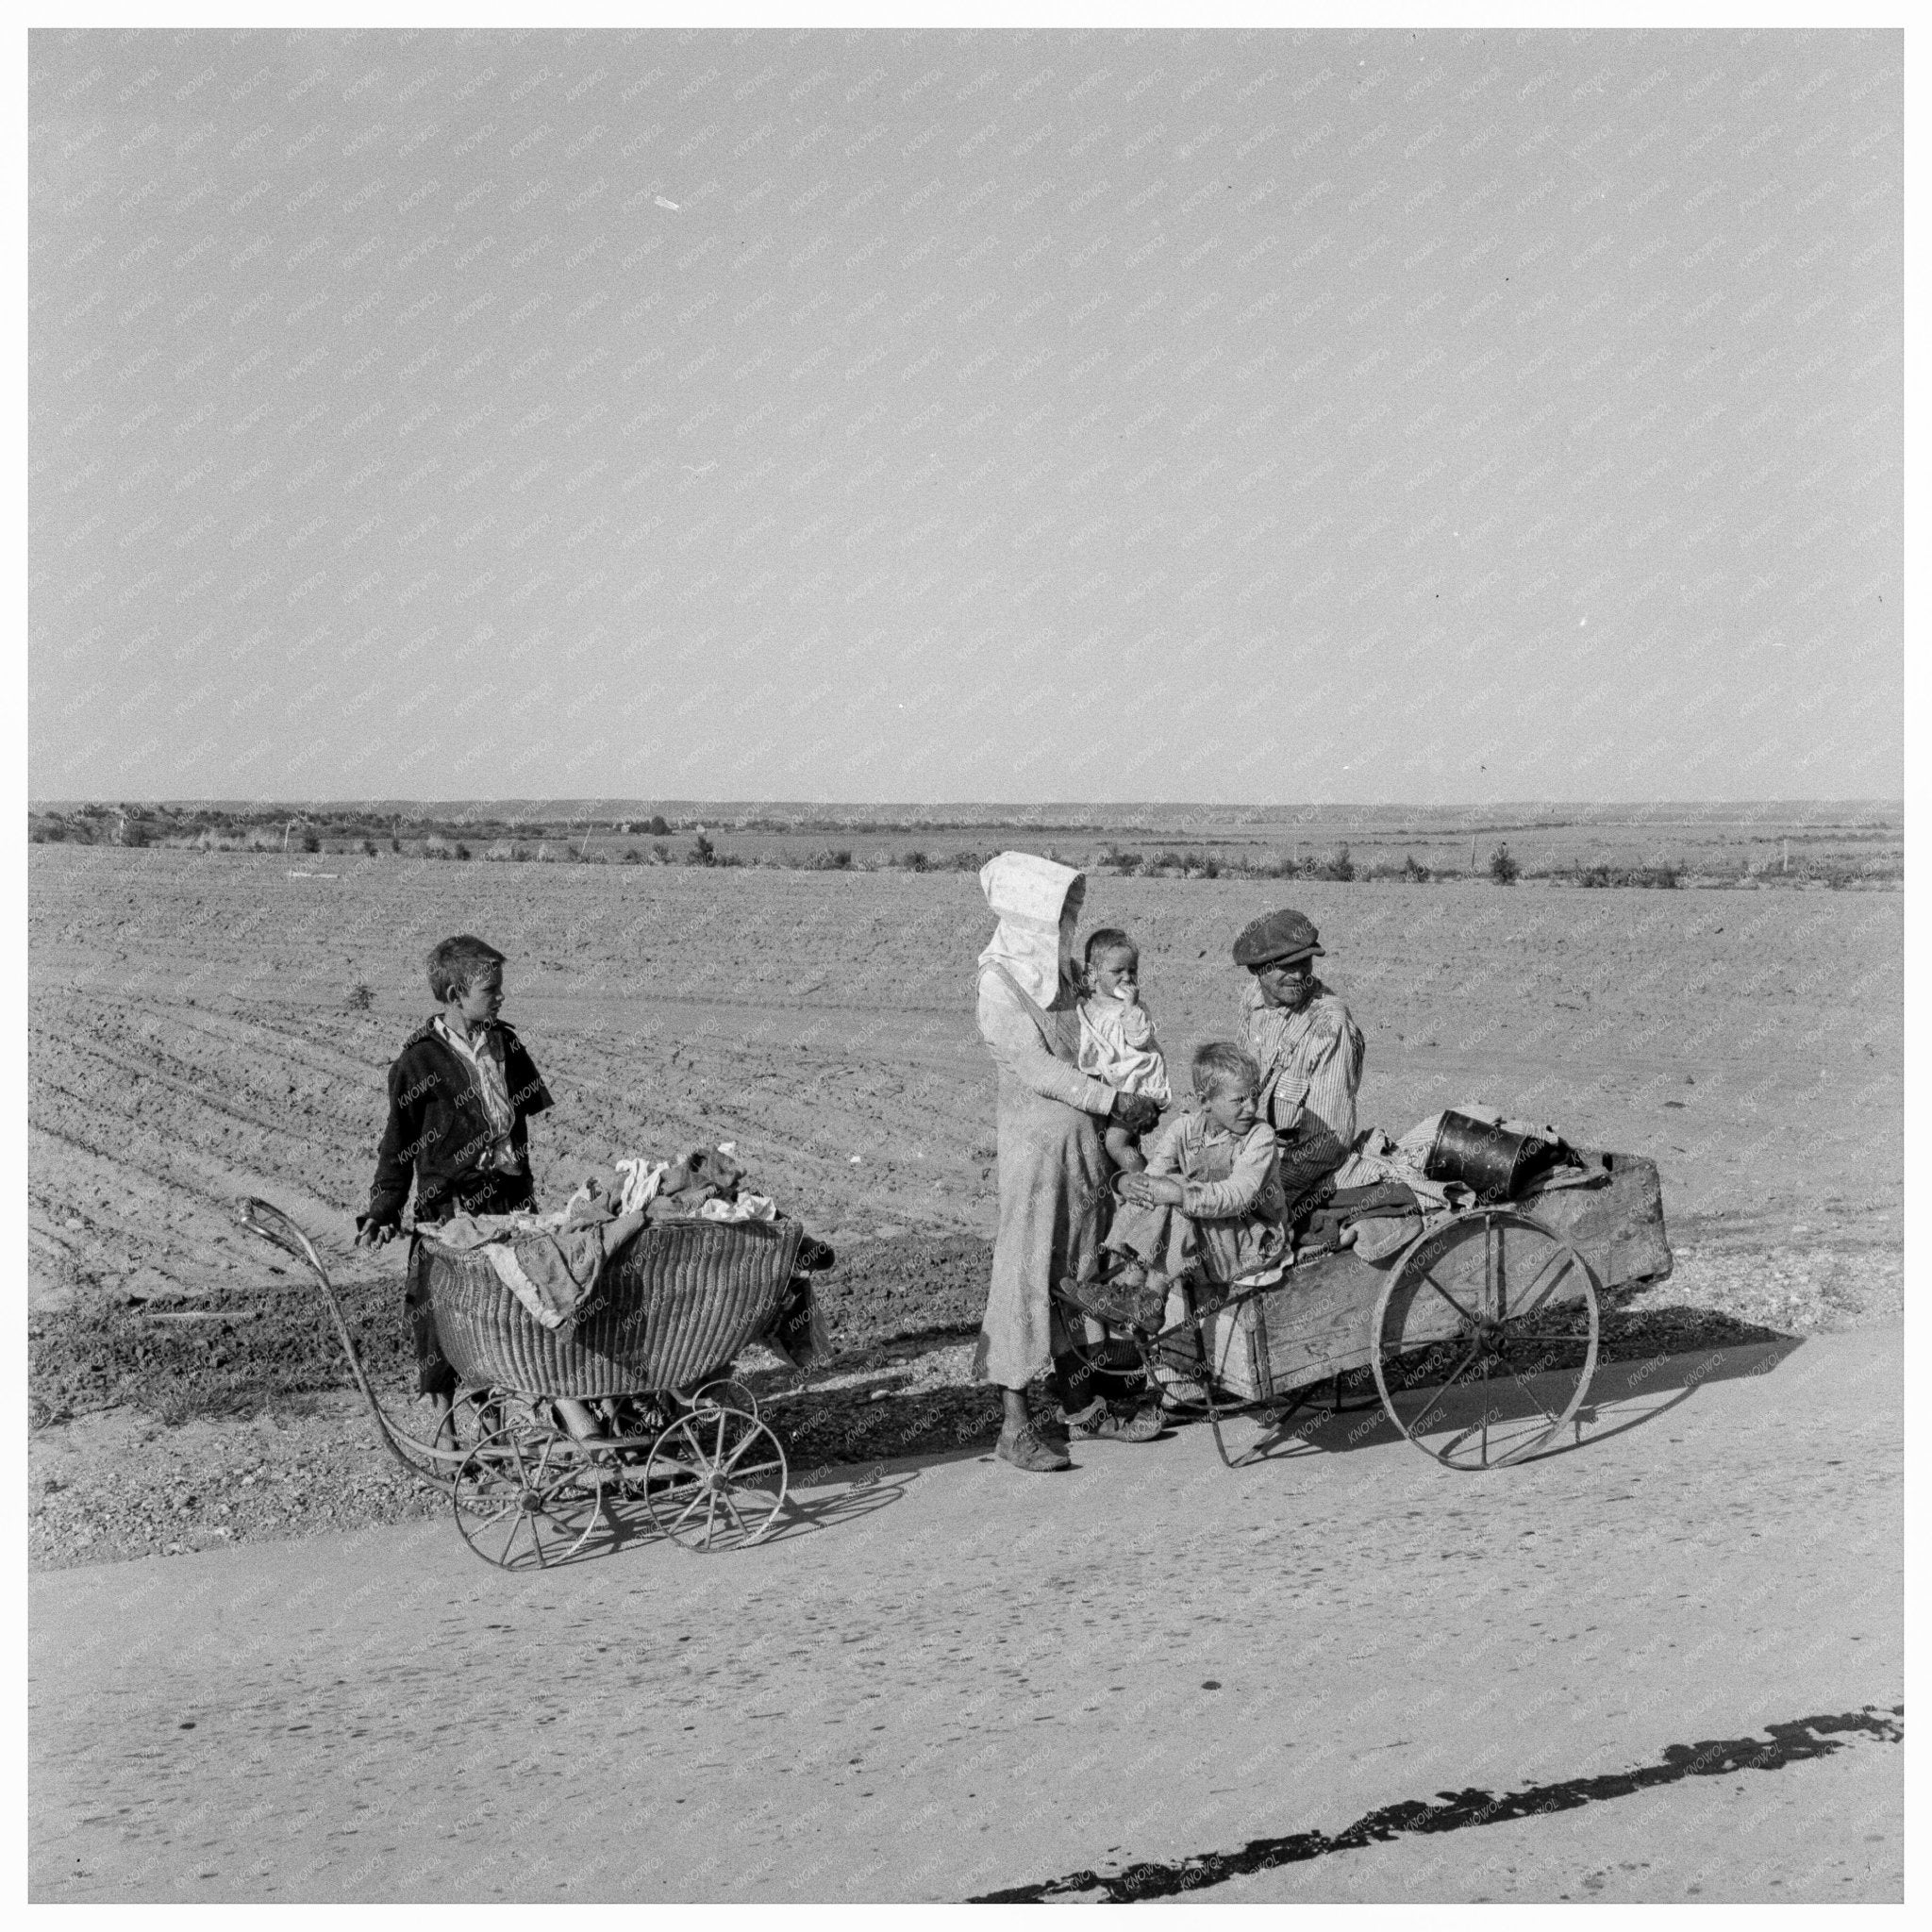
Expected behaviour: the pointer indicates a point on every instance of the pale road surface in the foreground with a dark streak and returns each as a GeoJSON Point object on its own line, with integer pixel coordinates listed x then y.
{"type": "Point", "coordinates": [1678, 1649]}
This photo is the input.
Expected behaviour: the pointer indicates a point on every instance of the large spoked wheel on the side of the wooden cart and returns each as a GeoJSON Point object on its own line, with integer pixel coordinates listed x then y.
{"type": "Point", "coordinates": [1485, 1340]}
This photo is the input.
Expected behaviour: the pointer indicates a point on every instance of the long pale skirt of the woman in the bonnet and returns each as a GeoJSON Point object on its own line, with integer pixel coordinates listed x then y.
{"type": "Point", "coordinates": [1052, 1205]}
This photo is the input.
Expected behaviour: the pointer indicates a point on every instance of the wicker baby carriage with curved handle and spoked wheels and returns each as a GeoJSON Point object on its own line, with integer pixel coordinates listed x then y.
{"type": "Point", "coordinates": [652, 1357]}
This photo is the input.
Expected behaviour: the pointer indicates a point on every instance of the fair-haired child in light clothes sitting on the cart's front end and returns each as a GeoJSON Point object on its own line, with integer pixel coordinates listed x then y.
{"type": "Point", "coordinates": [1208, 1205]}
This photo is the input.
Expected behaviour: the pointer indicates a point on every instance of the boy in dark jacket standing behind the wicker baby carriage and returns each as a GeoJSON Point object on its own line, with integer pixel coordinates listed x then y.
{"type": "Point", "coordinates": [461, 1098]}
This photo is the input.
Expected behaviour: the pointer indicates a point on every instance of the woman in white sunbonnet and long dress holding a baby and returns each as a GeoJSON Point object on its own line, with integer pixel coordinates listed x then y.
{"type": "Point", "coordinates": [1052, 1162]}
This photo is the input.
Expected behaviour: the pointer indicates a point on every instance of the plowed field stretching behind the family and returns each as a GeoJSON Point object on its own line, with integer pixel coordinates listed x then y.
{"type": "Point", "coordinates": [192, 1035]}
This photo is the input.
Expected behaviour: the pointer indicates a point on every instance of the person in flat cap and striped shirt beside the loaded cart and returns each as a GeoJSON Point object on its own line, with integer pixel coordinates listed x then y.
{"type": "Point", "coordinates": [1307, 1046]}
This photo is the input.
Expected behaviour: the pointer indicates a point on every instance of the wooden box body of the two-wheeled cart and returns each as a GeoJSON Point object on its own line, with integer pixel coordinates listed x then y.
{"type": "Point", "coordinates": [1319, 1322]}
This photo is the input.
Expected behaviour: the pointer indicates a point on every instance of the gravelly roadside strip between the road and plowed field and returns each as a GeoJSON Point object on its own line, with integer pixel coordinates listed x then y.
{"type": "Point", "coordinates": [117, 1483]}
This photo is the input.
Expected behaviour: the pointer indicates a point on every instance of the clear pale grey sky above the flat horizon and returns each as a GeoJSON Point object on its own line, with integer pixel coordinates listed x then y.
{"type": "Point", "coordinates": [926, 416]}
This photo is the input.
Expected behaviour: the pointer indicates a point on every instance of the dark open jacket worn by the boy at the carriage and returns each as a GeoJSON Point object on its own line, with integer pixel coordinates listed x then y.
{"type": "Point", "coordinates": [438, 1131]}
